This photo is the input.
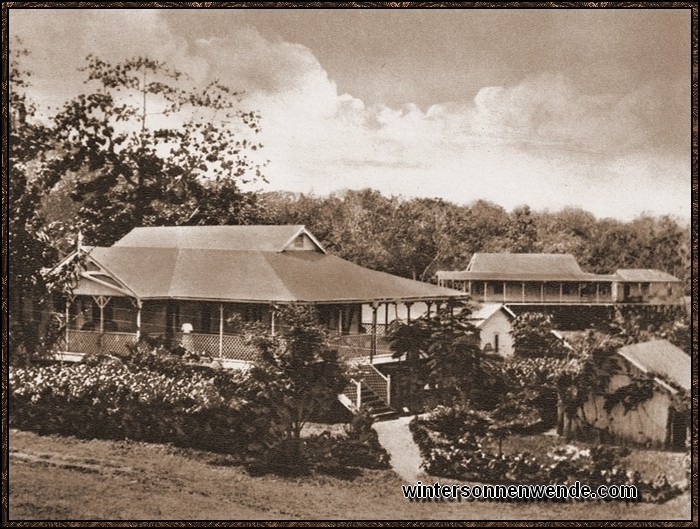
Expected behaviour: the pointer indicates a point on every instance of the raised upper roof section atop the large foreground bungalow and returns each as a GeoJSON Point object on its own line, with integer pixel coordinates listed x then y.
{"type": "Point", "coordinates": [257, 238]}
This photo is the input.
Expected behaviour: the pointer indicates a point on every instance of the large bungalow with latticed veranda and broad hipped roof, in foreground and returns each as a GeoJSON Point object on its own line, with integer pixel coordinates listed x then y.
{"type": "Point", "coordinates": [196, 285]}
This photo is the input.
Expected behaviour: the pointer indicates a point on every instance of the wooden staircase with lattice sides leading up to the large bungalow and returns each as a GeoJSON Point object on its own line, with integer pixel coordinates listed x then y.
{"type": "Point", "coordinates": [372, 391]}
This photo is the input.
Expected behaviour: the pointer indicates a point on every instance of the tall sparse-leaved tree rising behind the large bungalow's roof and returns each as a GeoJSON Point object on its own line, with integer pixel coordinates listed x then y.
{"type": "Point", "coordinates": [145, 147]}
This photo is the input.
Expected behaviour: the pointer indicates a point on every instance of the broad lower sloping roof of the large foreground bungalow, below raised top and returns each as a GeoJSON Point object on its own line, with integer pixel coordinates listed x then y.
{"type": "Point", "coordinates": [255, 276]}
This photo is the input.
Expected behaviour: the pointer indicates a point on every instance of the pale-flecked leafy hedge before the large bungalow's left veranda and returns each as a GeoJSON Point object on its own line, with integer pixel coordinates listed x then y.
{"type": "Point", "coordinates": [110, 399]}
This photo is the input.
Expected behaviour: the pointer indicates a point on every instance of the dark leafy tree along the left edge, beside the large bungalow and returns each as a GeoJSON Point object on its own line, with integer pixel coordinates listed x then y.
{"type": "Point", "coordinates": [33, 243]}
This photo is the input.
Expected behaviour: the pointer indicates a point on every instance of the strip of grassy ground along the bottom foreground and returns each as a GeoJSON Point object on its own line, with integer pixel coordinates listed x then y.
{"type": "Point", "coordinates": [63, 478]}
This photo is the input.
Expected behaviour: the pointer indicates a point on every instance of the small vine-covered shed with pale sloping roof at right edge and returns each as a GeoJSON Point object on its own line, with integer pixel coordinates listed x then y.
{"type": "Point", "coordinates": [661, 420]}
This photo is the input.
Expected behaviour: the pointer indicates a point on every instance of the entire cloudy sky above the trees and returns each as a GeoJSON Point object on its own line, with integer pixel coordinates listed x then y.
{"type": "Point", "coordinates": [551, 108]}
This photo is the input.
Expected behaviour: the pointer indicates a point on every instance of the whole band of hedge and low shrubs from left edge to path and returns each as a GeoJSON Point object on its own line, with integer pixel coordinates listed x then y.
{"type": "Point", "coordinates": [153, 395]}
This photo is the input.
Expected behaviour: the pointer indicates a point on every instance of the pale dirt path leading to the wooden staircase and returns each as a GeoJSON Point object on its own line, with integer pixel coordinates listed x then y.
{"type": "Point", "coordinates": [397, 439]}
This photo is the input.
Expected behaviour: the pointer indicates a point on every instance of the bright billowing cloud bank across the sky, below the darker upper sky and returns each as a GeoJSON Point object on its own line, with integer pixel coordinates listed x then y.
{"type": "Point", "coordinates": [544, 140]}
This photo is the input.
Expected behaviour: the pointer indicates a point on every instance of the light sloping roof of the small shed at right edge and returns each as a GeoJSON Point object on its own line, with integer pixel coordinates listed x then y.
{"type": "Point", "coordinates": [660, 357]}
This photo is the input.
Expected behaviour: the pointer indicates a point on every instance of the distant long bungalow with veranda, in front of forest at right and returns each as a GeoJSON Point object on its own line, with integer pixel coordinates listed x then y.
{"type": "Point", "coordinates": [557, 279]}
